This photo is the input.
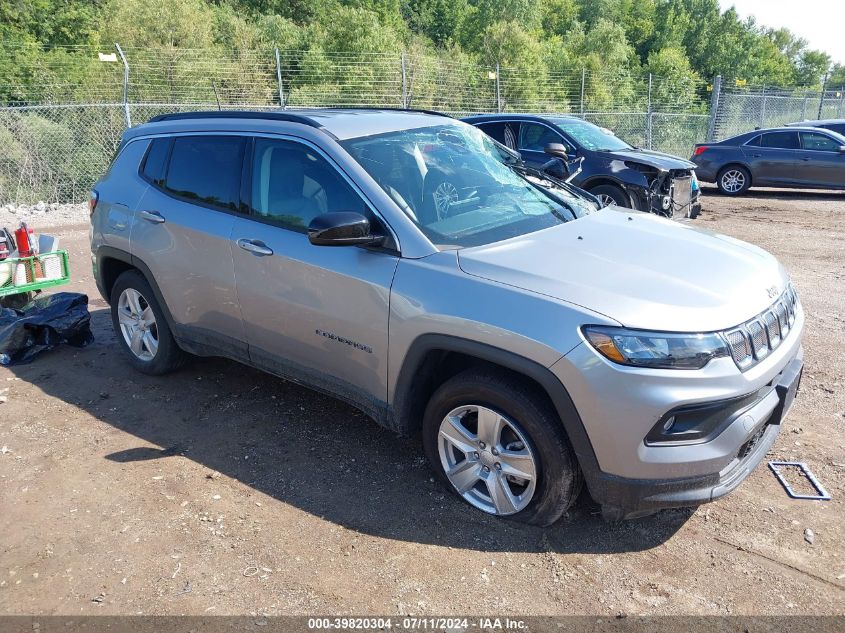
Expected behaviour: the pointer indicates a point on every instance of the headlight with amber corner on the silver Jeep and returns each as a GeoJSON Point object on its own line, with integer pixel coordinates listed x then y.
{"type": "Point", "coordinates": [657, 350]}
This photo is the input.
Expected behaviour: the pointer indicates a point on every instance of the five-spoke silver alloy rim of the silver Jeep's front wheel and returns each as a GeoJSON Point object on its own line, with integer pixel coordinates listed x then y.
{"type": "Point", "coordinates": [488, 459]}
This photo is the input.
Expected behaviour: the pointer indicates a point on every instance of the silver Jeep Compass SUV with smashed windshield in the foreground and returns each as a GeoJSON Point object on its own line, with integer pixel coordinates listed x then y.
{"type": "Point", "coordinates": [410, 265]}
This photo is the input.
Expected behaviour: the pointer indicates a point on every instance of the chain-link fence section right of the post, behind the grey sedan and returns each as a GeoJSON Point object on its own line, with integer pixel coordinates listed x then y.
{"type": "Point", "coordinates": [742, 109]}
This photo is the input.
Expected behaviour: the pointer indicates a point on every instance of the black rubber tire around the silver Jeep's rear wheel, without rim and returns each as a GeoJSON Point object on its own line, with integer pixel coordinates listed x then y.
{"type": "Point", "coordinates": [168, 356]}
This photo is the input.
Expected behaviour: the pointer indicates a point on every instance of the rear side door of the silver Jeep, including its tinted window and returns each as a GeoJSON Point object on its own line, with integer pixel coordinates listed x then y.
{"type": "Point", "coordinates": [181, 231]}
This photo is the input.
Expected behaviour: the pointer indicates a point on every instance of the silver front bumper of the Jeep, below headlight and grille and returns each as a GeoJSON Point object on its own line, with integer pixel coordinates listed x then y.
{"type": "Point", "coordinates": [620, 407]}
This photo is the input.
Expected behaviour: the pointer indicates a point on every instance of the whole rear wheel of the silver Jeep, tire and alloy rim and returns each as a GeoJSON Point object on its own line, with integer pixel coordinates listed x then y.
{"type": "Point", "coordinates": [141, 328]}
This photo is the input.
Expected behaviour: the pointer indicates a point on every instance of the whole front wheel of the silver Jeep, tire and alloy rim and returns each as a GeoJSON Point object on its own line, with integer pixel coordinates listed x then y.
{"type": "Point", "coordinates": [497, 443]}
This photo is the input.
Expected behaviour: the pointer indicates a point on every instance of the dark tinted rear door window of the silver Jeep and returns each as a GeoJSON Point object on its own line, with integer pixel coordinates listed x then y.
{"type": "Point", "coordinates": [207, 170]}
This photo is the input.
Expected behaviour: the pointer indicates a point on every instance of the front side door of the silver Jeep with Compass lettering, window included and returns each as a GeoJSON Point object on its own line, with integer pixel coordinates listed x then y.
{"type": "Point", "coordinates": [313, 313]}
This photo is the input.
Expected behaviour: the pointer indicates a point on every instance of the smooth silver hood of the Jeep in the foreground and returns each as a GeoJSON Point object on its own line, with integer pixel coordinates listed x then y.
{"type": "Point", "coordinates": [640, 270]}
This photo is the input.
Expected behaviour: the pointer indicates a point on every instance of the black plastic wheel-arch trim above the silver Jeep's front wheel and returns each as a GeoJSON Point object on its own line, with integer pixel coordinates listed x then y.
{"type": "Point", "coordinates": [410, 380]}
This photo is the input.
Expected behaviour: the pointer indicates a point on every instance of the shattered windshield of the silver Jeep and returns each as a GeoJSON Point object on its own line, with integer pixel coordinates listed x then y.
{"type": "Point", "coordinates": [460, 187]}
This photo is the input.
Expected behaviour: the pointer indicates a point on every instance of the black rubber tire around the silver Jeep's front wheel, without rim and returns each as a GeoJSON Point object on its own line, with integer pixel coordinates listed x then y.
{"type": "Point", "coordinates": [559, 478]}
